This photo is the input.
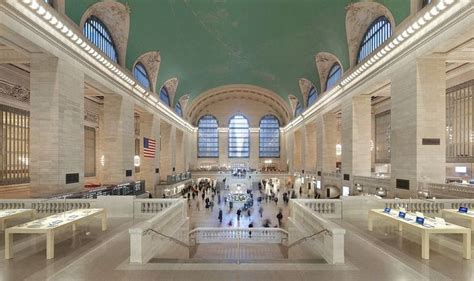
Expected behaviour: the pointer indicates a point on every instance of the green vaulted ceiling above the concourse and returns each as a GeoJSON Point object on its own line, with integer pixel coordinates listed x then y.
{"type": "Point", "coordinates": [211, 43]}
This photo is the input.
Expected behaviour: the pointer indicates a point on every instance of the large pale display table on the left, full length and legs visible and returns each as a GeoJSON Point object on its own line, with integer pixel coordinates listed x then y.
{"type": "Point", "coordinates": [49, 225]}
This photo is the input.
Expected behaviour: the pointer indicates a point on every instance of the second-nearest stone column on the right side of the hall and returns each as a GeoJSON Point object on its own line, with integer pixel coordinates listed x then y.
{"type": "Point", "coordinates": [356, 136]}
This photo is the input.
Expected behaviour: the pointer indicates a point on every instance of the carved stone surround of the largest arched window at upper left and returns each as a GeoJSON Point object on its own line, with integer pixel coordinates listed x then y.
{"type": "Point", "coordinates": [116, 16]}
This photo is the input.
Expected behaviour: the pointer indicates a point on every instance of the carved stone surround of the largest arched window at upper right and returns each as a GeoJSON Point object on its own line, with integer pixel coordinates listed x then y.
{"type": "Point", "coordinates": [359, 16]}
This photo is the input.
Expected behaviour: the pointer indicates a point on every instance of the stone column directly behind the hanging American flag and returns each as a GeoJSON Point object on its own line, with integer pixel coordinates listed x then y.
{"type": "Point", "coordinates": [151, 130]}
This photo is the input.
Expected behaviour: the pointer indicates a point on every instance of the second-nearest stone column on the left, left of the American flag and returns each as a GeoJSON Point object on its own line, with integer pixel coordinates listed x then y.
{"type": "Point", "coordinates": [118, 139]}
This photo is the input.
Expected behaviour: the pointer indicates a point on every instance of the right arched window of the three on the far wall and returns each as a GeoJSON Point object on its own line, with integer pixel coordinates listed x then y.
{"type": "Point", "coordinates": [269, 139]}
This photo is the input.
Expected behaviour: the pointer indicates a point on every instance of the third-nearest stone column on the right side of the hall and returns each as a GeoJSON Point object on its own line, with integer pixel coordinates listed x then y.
{"type": "Point", "coordinates": [326, 131]}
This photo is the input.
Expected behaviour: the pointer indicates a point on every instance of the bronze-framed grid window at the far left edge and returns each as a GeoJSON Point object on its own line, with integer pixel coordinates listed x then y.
{"type": "Point", "coordinates": [14, 145]}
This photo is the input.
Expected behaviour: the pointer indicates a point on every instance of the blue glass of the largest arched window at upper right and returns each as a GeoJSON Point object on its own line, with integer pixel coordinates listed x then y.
{"type": "Point", "coordinates": [379, 31]}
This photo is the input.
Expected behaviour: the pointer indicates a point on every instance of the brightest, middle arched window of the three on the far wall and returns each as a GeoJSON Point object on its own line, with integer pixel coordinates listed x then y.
{"type": "Point", "coordinates": [239, 137]}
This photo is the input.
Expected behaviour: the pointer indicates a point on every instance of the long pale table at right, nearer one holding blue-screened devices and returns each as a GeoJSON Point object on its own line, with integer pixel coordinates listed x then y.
{"type": "Point", "coordinates": [425, 230]}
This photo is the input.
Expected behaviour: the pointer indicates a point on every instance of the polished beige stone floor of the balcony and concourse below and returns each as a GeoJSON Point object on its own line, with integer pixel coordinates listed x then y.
{"type": "Point", "coordinates": [91, 254]}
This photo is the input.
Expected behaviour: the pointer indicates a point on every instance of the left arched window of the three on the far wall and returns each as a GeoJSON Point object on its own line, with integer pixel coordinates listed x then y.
{"type": "Point", "coordinates": [208, 137]}
